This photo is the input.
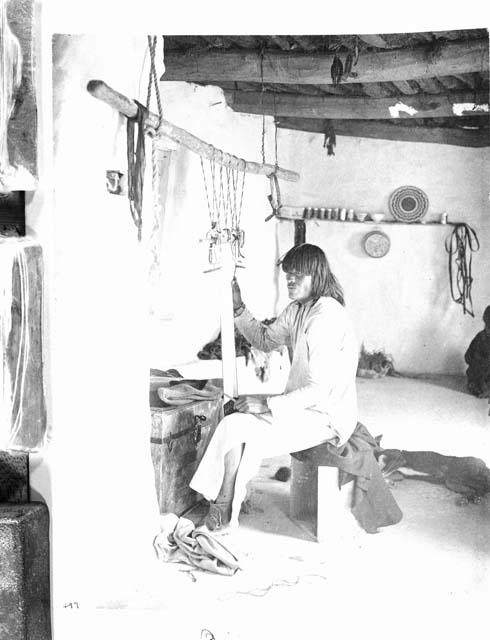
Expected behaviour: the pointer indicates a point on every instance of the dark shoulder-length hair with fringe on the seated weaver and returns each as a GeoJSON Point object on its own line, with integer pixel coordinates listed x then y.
{"type": "Point", "coordinates": [308, 259]}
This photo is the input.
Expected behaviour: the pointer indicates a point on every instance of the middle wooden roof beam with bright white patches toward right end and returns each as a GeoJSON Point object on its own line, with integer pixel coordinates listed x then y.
{"type": "Point", "coordinates": [301, 106]}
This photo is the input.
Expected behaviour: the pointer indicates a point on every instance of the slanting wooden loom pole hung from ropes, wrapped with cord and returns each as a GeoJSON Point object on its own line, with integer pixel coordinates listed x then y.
{"type": "Point", "coordinates": [100, 90]}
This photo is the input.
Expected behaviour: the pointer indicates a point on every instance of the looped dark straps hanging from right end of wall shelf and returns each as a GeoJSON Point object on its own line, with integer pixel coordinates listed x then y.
{"type": "Point", "coordinates": [462, 240]}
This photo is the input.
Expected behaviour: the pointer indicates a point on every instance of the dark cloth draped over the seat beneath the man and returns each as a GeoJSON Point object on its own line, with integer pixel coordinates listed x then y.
{"type": "Point", "coordinates": [373, 503]}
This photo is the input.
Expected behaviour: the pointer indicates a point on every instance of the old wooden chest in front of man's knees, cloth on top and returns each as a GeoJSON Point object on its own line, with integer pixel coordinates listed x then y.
{"type": "Point", "coordinates": [179, 438]}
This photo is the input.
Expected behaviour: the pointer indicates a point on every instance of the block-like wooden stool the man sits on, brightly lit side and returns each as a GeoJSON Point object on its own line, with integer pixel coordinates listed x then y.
{"type": "Point", "coordinates": [315, 497]}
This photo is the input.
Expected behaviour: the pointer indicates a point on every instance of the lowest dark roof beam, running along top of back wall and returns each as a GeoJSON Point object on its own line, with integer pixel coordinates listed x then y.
{"type": "Point", "coordinates": [389, 131]}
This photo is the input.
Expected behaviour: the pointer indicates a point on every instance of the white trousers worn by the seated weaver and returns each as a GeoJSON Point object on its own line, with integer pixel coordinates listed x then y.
{"type": "Point", "coordinates": [263, 437]}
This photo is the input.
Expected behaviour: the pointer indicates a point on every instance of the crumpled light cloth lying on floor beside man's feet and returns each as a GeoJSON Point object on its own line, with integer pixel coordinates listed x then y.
{"type": "Point", "coordinates": [180, 541]}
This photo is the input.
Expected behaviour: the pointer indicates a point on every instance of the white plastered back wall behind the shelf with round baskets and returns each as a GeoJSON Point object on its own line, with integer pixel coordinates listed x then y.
{"type": "Point", "coordinates": [400, 303]}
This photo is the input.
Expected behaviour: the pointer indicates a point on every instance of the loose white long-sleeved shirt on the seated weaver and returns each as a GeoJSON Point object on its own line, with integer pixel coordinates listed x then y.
{"type": "Point", "coordinates": [324, 350]}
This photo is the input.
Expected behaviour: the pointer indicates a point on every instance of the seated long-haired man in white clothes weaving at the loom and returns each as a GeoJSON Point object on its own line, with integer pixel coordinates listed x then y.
{"type": "Point", "coordinates": [319, 403]}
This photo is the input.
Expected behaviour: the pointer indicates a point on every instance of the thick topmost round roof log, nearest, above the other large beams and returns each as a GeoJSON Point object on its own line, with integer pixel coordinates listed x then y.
{"type": "Point", "coordinates": [314, 68]}
